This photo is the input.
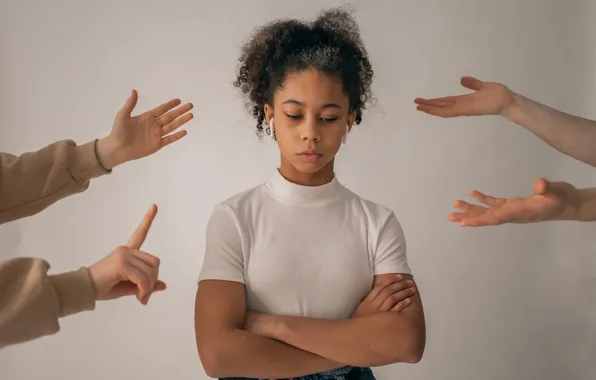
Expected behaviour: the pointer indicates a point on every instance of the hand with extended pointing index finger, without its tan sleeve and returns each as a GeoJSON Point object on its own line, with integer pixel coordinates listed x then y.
{"type": "Point", "coordinates": [128, 270]}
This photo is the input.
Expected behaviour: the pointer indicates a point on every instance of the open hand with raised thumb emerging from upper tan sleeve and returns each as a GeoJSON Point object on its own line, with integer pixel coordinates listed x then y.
{"type": "Point", "coordinates": [134, 137]}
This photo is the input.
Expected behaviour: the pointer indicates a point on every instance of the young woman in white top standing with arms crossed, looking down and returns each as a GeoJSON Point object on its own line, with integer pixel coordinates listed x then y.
{"type": "Point", "coordinates": [302, 277]}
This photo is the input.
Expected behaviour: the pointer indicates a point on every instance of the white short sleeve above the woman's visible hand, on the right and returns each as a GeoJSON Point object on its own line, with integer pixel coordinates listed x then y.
{"type": "Point", "coordinates": [390, 254]}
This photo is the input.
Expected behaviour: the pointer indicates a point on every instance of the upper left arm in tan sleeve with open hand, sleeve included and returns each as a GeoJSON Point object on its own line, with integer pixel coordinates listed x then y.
{"type": "Point", "coordinates": [33, 181]}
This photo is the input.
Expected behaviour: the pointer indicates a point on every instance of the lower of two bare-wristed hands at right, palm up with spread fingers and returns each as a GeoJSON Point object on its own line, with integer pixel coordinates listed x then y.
{"type": "Point", "coordinates": [549, 201]}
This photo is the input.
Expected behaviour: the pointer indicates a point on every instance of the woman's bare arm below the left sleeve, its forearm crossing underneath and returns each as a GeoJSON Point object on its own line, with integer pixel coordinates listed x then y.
{"type": "Point", "coordinates": [226, 350]}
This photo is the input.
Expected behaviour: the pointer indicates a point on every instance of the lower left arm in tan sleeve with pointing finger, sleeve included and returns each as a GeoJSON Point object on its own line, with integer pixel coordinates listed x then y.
{"type": "Point", "coordinates": [32, 302]}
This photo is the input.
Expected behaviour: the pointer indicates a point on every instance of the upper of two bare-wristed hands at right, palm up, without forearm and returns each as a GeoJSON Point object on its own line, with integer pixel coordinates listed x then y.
{"type": "Point", "coordinates": [488, 98]}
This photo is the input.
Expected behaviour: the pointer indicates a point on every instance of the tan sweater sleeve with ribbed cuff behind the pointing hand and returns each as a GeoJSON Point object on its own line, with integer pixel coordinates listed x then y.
{"type": "Point", "coordinates": [31, 301]}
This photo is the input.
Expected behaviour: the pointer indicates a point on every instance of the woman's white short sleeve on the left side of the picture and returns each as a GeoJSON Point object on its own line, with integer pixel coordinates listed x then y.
{"type": "Point", "coordinates": [224, 259]}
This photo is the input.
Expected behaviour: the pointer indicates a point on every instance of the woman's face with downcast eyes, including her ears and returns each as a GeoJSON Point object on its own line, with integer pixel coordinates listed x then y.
{"type": "Point", "coordinates": [311, 115]}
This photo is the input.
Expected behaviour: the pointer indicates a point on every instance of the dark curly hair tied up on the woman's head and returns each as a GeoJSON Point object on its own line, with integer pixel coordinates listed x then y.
{"type": "Point", "coordinates": [331, 43]}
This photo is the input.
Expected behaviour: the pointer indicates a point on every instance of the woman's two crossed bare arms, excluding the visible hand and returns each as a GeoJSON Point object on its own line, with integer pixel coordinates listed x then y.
{"type": "Point", "coordinates": [271, 346]}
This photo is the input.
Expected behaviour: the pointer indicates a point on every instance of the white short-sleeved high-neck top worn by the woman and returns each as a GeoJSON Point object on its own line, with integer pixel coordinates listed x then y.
{"type": "Point", "coordinates": [303, 251]}
